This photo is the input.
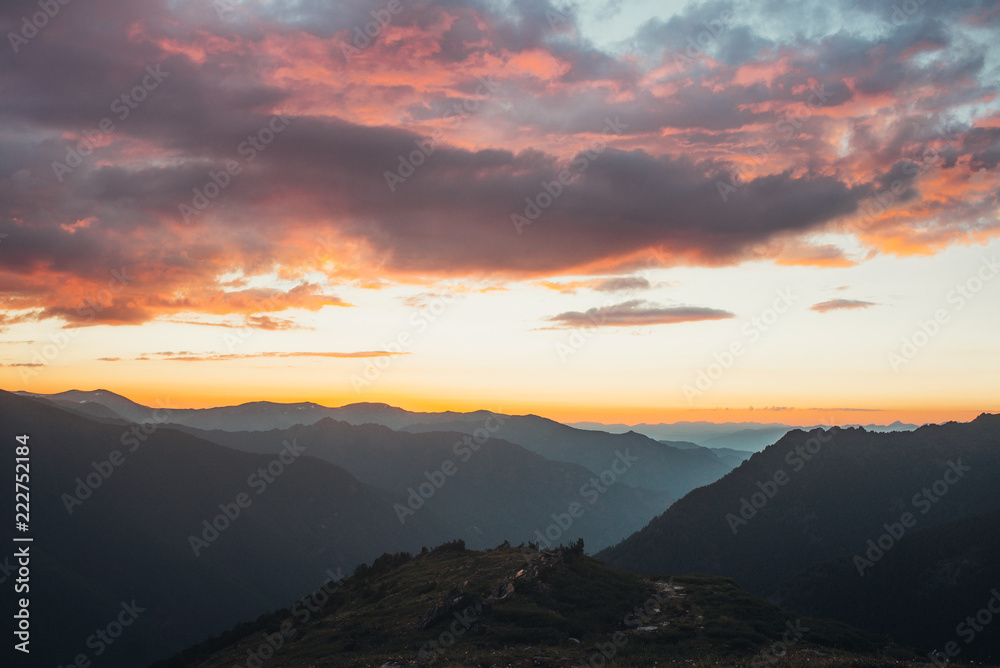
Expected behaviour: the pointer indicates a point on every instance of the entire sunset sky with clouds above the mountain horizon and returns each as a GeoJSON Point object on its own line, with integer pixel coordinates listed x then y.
{"type": "Point", "coordinates": [601, 210]}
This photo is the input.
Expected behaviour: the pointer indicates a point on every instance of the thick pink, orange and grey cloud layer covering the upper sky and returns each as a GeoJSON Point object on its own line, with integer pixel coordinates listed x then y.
{"type": "Point", "coordinates": [195, 151]}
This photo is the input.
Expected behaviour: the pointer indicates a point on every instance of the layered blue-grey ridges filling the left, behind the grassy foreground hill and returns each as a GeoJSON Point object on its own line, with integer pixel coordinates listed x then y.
{"type": "Point", "coordinates": [141, 494]}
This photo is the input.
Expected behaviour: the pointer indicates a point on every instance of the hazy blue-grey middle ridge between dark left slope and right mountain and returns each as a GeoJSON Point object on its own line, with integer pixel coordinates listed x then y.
{"type": "Point", "coordinates": [489, 490]}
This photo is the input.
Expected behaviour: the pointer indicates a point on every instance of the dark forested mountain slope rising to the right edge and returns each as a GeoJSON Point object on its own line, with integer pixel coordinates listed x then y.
{"type": "Point", "coordinates": [799, 520]}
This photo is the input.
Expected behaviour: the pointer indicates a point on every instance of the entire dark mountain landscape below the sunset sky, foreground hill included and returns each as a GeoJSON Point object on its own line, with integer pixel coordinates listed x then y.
{"type": "Point", "coordinates": [199, 520]}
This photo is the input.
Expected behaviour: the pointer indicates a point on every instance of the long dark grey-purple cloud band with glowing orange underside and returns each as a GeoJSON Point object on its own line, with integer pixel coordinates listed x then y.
{"type": "Point", "coordinates": [454, 212]}
